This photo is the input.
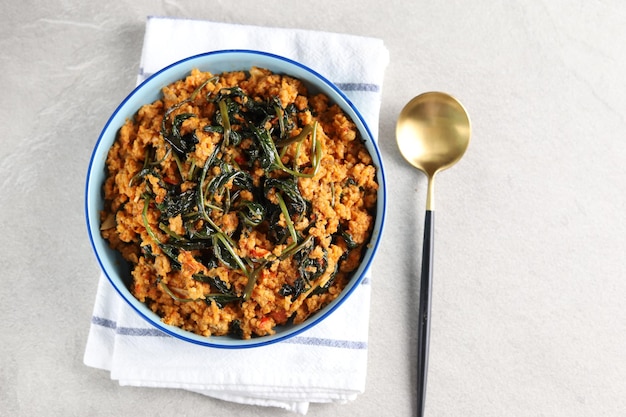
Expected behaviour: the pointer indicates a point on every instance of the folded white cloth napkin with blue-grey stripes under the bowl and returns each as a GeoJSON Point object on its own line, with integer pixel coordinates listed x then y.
{"type": "Point", "coordinates": [324, 364]}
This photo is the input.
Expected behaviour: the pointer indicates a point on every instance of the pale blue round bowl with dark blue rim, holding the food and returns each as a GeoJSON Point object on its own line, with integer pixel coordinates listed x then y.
{"type": "Point", "coordinates": [115, 267]}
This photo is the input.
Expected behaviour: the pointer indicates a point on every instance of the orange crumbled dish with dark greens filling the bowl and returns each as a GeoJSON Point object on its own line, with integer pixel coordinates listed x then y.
{"type": "Point", "coordinates": [240, 201]}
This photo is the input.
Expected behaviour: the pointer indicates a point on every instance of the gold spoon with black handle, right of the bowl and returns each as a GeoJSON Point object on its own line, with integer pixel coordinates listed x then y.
{"type": "Point", "coordinates": [433, 131]}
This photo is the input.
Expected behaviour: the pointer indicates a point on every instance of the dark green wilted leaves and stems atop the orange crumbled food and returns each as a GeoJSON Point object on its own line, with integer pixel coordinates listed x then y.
{"type": "Point", "coordinates": [252, 134]}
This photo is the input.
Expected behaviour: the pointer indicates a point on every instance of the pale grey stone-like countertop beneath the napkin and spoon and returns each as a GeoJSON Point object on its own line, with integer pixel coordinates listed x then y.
{"type": "Point", "coordinates": [529, 317]}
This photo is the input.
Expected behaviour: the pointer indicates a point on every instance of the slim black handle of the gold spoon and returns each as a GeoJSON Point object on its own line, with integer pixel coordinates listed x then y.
{"type": "Point", "coordinates": [423, 325]}
